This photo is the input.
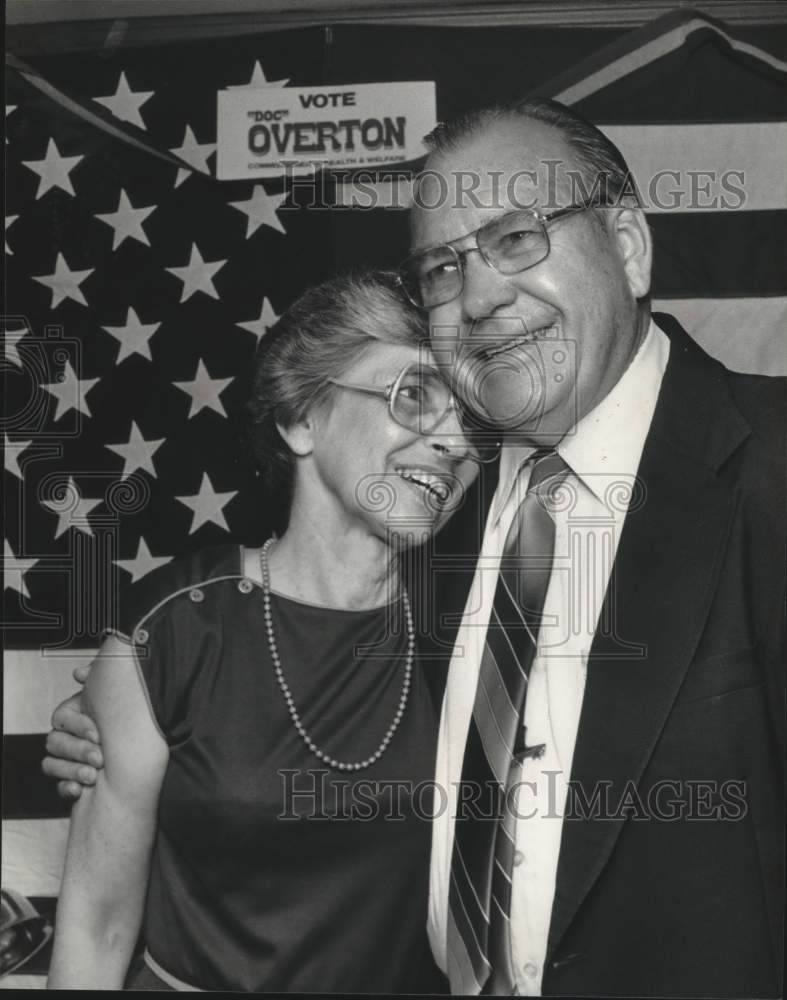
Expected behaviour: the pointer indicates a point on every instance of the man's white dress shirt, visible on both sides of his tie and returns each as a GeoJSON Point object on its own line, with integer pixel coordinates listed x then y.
{"type": "Point", "coordinates": [603, 454]}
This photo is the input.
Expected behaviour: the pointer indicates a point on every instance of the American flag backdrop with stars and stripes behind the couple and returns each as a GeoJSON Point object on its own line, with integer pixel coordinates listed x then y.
{"type": "Point", "coordinates": [138, 287]}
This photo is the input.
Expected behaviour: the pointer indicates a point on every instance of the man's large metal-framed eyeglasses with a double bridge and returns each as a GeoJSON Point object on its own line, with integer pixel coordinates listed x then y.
{"type": "Point", "coordinates": [509, 244]}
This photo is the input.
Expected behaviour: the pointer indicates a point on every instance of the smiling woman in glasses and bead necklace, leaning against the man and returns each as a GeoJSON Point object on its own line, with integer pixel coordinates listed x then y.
{"type": "Point", "coordinates": [247, 688]}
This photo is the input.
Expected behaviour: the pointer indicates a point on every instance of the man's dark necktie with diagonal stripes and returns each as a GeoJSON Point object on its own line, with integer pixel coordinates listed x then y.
{"type": "Point", "coordinates": [481, 865]}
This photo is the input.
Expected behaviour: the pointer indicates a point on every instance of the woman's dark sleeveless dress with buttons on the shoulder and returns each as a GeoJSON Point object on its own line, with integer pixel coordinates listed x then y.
{"type": "Point", "coordinates": [271, 872]}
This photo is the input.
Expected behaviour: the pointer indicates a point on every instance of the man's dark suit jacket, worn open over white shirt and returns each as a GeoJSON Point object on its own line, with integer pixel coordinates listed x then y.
{"type": "Point", "coordinates": [670, 878]}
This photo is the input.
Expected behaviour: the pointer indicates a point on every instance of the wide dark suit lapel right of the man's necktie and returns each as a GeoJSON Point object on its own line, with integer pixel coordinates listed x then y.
{"type": "Point", "coordinates": [655, 609]}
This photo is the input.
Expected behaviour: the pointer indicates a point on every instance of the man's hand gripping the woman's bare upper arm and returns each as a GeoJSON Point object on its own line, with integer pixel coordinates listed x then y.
{"type": "Point", "coordinates": [73, 746]}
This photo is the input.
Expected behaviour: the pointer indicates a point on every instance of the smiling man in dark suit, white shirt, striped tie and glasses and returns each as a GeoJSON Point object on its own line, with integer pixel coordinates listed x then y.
{"type": "Point", "coordinates": [645, 825]}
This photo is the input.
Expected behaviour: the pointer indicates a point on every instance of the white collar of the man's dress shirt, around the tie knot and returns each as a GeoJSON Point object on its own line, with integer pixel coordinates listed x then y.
{"type": "Point", "coordinates": [607, 441]}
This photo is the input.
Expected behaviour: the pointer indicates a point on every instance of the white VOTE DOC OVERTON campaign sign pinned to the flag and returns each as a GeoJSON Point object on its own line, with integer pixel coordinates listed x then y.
{"type": "Point", "coordinates": [295, 130]}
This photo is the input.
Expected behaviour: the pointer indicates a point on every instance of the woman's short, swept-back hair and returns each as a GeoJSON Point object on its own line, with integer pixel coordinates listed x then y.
{"type": "Point", "coordinates": [319, 337]}
